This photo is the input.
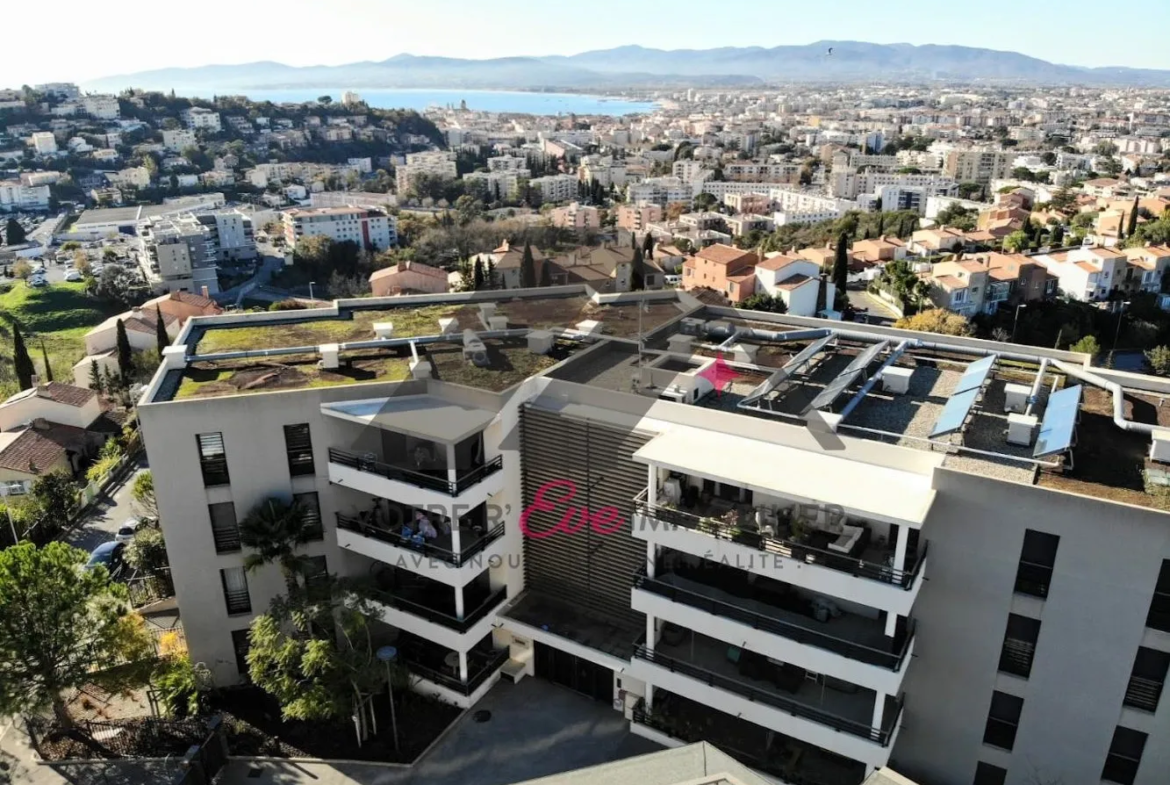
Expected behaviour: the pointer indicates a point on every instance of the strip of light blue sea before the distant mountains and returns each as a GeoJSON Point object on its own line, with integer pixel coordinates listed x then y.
{"type": "Point", "coordinates": [492, 101]}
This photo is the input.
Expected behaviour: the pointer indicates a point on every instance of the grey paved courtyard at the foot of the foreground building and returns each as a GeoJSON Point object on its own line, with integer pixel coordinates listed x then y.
{"type": "Point", "coordinates": [536, 729]}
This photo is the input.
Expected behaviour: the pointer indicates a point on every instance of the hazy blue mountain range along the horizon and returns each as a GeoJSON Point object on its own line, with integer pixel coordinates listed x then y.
{"type": "Point", "coordinates": [850, 61]}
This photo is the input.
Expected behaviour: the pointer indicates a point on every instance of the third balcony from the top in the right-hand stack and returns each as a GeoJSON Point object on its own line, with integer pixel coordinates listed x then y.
{"type": "Point", "coordinates": [806, 706]}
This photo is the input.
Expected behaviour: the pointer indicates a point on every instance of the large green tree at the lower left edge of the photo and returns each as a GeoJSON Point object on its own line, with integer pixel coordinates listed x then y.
{"type": "Point", "coordinates": [60, 628]}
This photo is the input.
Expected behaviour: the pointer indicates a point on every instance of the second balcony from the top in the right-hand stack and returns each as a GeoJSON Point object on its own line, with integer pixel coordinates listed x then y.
{"type": "Point", "coordinates": [781, 623]}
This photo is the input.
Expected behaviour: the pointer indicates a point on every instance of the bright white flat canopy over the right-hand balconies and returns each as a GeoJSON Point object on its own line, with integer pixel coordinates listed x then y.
{"type": "Point", "coordinates": [862, 490]}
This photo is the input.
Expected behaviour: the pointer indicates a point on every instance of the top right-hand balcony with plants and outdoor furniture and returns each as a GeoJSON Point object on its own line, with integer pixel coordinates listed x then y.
{"type": "Point", "coordinates": [822, 561]}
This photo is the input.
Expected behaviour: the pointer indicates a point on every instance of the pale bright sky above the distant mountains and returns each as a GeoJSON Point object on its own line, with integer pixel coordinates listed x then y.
{"type": "Point", "coordinates": [126, 37]}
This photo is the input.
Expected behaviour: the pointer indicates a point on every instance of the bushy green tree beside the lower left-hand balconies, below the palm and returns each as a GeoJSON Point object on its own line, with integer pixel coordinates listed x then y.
{"type": "Point", "coordinates": [313, 652]}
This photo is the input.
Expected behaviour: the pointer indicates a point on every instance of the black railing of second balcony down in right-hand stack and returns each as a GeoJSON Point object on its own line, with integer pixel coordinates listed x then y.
{"type": "Point", "coordinates": [799, 633]}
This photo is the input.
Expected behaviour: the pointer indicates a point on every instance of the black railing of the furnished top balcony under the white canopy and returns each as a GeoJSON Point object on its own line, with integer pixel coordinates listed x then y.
{"type": "Point", "coordinates": [782, 547]}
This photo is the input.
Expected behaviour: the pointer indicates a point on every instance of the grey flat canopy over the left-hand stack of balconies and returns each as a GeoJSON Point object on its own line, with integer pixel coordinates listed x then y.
{"type": "Point", "coordinates": [426, 417]}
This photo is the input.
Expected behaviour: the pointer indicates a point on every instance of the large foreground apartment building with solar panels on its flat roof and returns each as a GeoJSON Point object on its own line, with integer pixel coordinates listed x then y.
{"type": "Point", "coordinates": [831, 602]}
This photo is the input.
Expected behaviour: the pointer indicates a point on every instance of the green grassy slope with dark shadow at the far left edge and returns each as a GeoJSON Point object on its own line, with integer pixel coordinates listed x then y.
{"type": "Point", "coordinates": [60, 315]}
